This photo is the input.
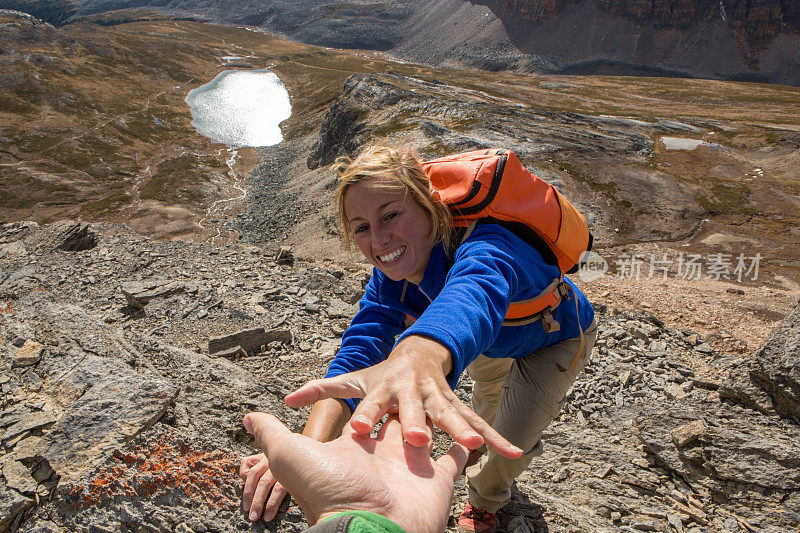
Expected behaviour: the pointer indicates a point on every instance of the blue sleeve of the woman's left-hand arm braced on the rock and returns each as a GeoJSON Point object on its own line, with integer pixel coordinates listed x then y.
{"type": "Point", "coordinates": [371, 334]}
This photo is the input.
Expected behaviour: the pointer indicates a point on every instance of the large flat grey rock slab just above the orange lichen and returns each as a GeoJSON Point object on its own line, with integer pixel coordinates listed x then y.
{"type": "Point", "coordinates": [113, 410]}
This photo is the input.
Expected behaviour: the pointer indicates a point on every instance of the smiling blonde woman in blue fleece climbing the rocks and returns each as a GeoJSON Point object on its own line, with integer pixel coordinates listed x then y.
{"type": "Point", "coordinates": [430, 312]}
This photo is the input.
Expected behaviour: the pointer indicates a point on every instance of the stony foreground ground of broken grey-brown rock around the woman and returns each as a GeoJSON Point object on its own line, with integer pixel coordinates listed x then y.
{"type": "Point", "coordinates": [117, 418]}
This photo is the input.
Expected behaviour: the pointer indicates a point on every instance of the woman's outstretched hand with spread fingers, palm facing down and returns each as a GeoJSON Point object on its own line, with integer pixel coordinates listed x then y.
{"type": "Point", "coordinates": [411, 382]}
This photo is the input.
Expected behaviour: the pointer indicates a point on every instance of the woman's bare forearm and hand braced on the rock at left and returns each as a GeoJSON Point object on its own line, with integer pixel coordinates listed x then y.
{"type": "Point", "coordinates": [262, 495]}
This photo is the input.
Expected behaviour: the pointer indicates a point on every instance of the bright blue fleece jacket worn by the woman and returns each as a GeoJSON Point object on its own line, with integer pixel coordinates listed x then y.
{"type": "Point", "coordinates": [463, 307]}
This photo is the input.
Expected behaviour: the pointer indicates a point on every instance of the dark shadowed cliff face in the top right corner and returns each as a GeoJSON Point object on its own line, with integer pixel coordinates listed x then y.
{"type": "Point", "coordinates": [732, 39]}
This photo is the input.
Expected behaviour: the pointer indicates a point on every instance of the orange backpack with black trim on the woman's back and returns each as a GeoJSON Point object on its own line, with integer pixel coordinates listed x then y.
{"type": "Point", "coordinates": [493, 186]}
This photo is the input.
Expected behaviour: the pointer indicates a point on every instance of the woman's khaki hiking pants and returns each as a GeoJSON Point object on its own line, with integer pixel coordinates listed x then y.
{"type": "Point", "coordinates": [519, 398]}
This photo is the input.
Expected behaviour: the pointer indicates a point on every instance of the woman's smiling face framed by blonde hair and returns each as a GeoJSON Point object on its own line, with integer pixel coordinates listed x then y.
{"type": "Point", "coordinates": [390, 229]}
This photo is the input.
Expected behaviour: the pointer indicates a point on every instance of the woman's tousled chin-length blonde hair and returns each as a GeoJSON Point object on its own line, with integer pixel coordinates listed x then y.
{"type": "Point", "coordinates": [392, 168]}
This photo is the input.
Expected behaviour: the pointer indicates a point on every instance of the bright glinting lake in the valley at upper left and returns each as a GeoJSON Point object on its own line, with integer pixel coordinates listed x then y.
{"type": "Point", "coordinates": [241, 108]}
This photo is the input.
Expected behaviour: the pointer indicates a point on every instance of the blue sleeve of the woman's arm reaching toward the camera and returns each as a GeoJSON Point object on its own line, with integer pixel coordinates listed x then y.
{"type": "Point", "coordinates": [487, 275]}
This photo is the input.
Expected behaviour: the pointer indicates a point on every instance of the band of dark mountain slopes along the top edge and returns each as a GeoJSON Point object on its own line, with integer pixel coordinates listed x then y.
{"type": "Point", "coordinates": [732, 39]}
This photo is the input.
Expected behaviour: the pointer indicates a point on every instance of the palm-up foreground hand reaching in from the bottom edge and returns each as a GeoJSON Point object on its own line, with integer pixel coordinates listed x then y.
{"type": "Point", "coordinates": [356, 472]}
